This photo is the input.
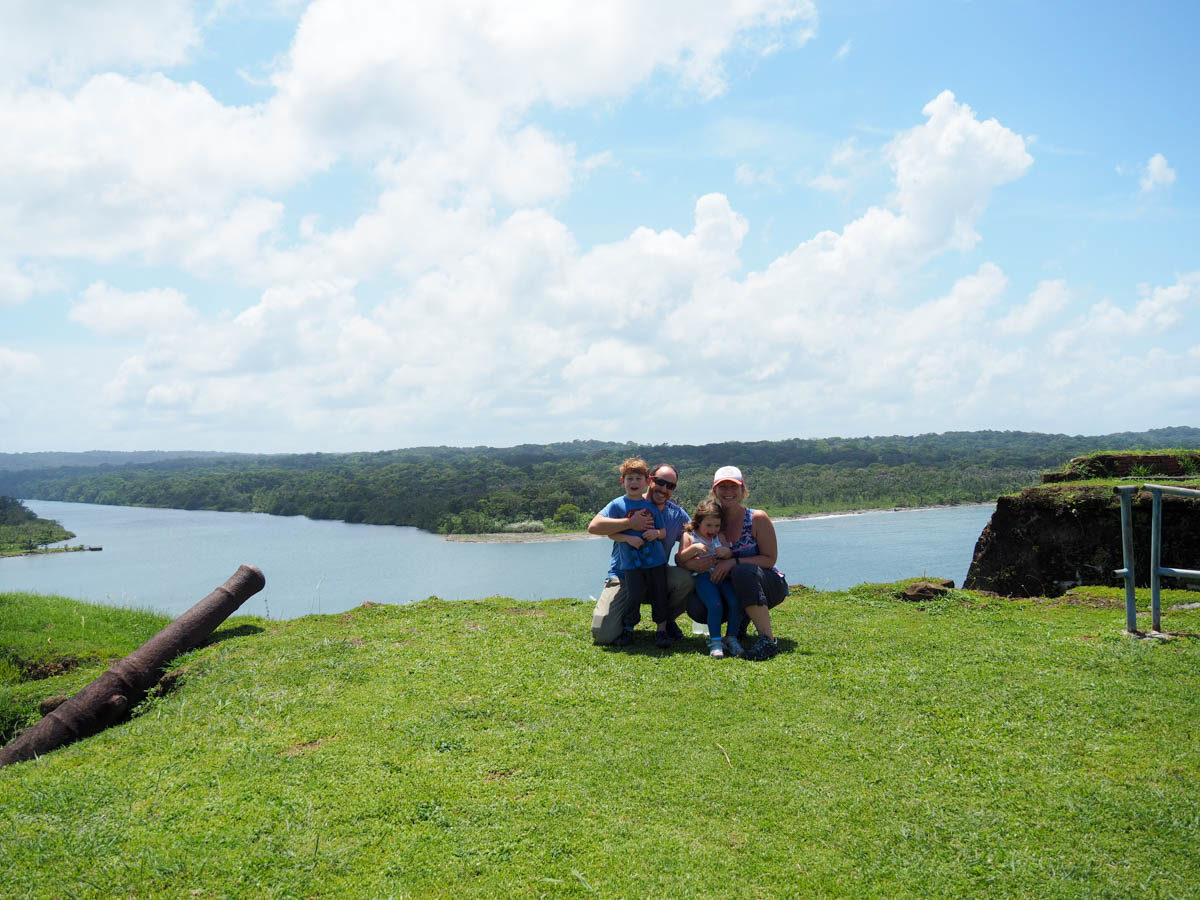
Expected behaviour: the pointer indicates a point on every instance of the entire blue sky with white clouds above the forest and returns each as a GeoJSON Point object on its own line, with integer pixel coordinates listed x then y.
{"type": "Point", "coordinates": [365, 225]}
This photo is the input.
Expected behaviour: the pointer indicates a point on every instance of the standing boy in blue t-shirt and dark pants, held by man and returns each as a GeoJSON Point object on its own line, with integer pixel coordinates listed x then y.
{"type": "Point", "coordinates": [641, 557]}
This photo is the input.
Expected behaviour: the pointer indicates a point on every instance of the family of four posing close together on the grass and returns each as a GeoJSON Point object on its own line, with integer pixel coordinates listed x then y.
{"type": "Point", "coordinates": [724, 571]}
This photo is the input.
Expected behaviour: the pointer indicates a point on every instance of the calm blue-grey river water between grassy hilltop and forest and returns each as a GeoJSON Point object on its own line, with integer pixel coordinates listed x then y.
{"type": "Point", "coordinates": [169, 560]}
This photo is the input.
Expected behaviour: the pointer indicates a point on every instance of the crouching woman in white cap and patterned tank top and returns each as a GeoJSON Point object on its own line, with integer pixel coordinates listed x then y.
{"type": "Point", "coordinates": [751, 535]}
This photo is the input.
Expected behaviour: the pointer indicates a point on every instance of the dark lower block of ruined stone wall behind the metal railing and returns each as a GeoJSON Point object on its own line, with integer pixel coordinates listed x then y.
{"type": "Point", "coordinates": [1048, 539]}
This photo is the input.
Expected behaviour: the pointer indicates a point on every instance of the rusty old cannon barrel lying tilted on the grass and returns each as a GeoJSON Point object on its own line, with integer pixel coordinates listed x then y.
{"type": "Point", "coordinates": [127, 683]}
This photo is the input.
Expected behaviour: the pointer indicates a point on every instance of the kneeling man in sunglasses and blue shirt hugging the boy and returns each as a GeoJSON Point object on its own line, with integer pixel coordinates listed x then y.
{"type": "Point", "coordinates": [607, 619]}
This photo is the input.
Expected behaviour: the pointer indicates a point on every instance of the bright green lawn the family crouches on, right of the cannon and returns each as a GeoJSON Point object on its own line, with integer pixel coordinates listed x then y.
{"type": "Point", "coordinates": [963, 747]}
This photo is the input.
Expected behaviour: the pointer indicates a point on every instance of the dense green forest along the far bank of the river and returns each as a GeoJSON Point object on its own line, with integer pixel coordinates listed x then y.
{"type": "Point", "coordinates": [559, 487]}
